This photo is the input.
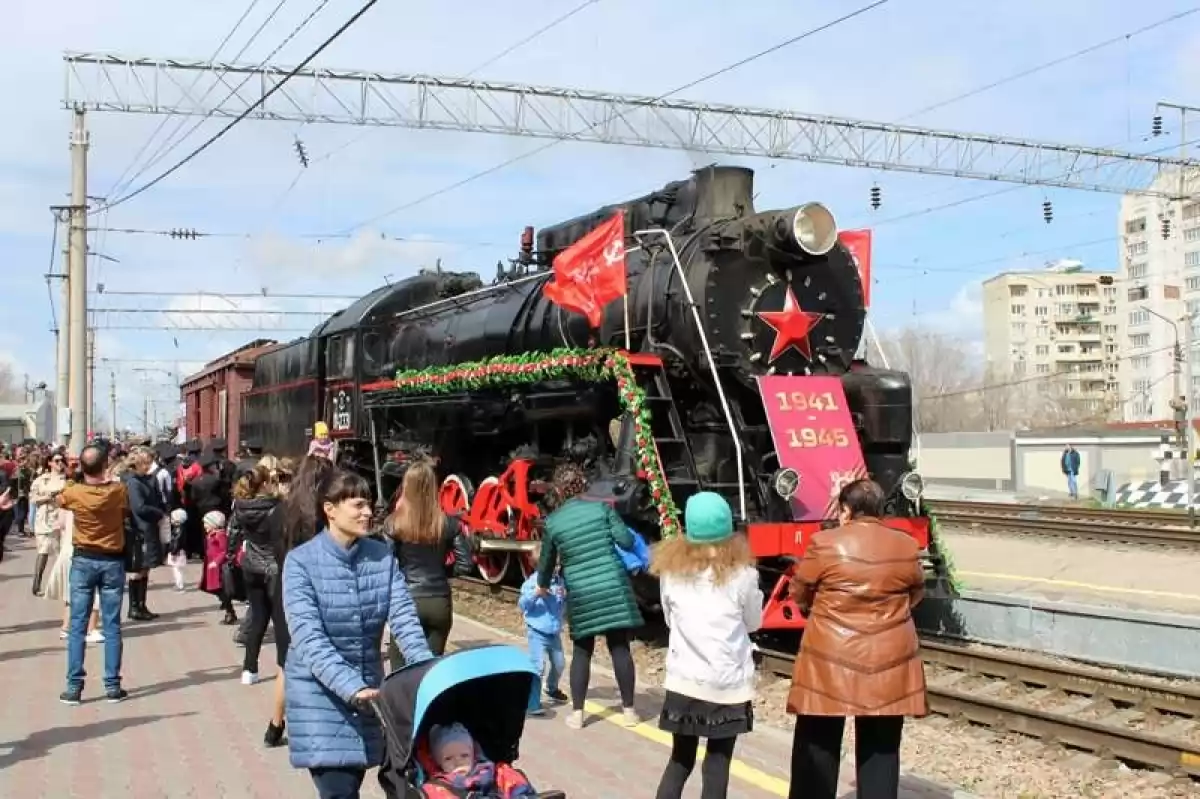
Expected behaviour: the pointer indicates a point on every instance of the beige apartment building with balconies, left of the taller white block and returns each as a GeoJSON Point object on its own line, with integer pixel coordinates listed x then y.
{"type": "Point", "coordinates": [1059, 329]}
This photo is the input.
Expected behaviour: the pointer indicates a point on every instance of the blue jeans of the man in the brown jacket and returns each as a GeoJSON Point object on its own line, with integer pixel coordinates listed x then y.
{"type": "Point", "coordinates": [88, 576]}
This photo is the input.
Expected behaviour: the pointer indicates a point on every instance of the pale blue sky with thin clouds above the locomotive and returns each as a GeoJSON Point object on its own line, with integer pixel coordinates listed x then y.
{"type": "Point", "coordinates": [932, 250]}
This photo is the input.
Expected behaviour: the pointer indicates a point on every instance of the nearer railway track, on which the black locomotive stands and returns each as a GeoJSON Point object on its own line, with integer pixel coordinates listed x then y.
{"type": "Point", "coordinates": [1112, 714]}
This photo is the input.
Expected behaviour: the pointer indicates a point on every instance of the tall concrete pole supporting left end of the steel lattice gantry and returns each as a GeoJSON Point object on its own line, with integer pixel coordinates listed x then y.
{"type": "Point", "coordinates": [77, 274]}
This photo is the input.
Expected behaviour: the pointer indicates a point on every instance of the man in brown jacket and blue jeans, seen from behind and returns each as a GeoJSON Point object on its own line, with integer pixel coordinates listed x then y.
{"type": "Point", "coordinates": [99, 509]}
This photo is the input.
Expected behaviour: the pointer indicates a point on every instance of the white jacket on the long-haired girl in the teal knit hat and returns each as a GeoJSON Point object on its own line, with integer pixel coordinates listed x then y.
{"type": "Point", "coordinates": [711, 657]}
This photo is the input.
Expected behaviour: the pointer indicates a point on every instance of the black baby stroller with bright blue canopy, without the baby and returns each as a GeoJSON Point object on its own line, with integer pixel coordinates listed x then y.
{"type": "Point", "coordinates": [485, 689]}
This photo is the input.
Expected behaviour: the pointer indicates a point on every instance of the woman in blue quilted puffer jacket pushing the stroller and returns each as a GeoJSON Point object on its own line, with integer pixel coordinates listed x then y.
{"type": "Point", "coordinates": [340, 590]}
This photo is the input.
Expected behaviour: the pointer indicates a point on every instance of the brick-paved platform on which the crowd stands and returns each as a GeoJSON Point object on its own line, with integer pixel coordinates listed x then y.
{"type": "Point", "coordinates": [190, 729]}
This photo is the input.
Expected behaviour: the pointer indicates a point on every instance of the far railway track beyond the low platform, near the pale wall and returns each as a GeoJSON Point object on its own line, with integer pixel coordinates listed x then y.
{"type": "Point", "coordinates": [1154, 527]}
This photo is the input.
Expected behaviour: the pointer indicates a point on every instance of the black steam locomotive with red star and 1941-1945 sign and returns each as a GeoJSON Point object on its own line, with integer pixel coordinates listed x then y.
{"type": "Point", "coordinates": [667, 398]}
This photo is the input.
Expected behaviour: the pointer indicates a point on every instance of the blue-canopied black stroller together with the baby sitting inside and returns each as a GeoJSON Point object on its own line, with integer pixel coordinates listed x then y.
{"type": "Point", "coordinates": [453, 726]}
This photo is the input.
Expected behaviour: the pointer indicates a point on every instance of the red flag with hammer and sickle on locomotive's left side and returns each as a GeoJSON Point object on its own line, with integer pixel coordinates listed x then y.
{"type": "Point", "coordinates": [591, 273]}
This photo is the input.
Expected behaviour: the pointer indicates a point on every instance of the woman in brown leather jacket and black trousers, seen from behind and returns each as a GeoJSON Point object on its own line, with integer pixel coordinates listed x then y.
{"type": "Point", "coordinates": [860, 657]}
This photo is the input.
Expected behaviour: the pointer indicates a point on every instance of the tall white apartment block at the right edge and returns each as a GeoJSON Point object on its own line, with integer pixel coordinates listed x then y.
{"type": "Point", "coordinates": [1160, 280]}
